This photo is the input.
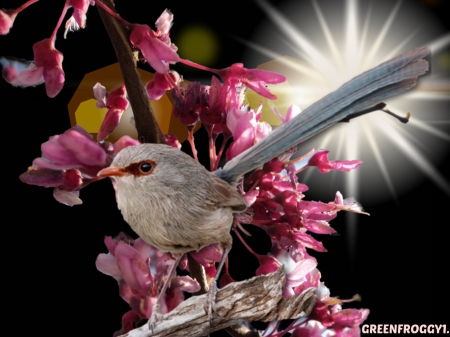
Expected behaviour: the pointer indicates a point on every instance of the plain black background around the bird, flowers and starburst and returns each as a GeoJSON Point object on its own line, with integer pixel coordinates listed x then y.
{"type": "Point", "coordinates": [49, 250]}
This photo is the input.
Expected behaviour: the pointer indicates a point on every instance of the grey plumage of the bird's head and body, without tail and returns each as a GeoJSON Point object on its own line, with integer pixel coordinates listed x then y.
{"type": "Point", "coordinates": [180, 206]}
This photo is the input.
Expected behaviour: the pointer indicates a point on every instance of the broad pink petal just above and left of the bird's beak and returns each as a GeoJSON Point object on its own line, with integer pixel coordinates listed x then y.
{"type": "Point", "coordinates": [84, 149]}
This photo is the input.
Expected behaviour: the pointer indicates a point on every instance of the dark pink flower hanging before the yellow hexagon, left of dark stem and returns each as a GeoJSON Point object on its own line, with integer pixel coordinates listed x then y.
{"type": "Point", "coordinates": [117, 103]}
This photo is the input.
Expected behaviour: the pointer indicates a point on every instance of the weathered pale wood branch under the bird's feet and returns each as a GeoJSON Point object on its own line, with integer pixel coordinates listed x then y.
{"type": "Point", "coordinates": [257, 299]}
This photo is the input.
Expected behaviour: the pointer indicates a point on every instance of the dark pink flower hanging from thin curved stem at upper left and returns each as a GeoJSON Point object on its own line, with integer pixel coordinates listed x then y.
{"type": "Point", "coordinates": [49, 60]}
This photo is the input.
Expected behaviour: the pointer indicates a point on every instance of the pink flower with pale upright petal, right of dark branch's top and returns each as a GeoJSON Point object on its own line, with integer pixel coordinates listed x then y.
{"type": "Point", "coordinates": [156, 46]}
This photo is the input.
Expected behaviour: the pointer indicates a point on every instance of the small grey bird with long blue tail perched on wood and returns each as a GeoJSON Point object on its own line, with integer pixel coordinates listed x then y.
{"type": "Point", "coordinates": [176, 205]}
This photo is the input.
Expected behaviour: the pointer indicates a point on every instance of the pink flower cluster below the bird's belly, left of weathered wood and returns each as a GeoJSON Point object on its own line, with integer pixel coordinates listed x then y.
{"type": "Point", "coordinates": [141, 271]}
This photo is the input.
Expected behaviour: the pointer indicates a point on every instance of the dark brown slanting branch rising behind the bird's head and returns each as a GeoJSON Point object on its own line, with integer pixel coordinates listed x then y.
{"type": "Point", "coordinates": [146, 124]}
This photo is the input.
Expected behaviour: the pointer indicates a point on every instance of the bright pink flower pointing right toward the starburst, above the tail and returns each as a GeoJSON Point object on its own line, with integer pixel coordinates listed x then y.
{"type": "Point", "coordinates": [255, 79]}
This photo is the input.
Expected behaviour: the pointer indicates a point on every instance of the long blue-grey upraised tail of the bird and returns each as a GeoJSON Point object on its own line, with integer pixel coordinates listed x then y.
{"type": "Point", "coordinates": [388, 79]}
